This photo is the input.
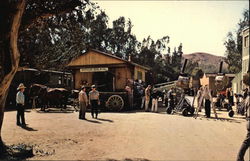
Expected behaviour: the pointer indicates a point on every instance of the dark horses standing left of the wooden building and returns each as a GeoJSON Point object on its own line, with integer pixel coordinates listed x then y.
{"type": "Point", "coordinates": [48, 97]}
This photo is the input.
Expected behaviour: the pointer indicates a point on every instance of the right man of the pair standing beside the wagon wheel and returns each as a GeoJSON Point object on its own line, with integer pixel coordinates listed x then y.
{"type": "Point", "coordinates": [94, 101]}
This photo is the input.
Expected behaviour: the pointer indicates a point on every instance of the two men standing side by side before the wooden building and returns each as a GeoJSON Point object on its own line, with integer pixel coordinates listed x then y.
{"type": "Point", "coordinates": [92, 100]}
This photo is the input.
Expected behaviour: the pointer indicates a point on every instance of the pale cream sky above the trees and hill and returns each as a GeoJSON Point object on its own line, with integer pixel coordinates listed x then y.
{"type": "Point", "coordinates": [201, 26]}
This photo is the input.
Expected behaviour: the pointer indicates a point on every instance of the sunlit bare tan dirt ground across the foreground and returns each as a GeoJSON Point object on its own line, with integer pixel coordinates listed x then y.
{"type": "Point", "coordinates": [137, 135]}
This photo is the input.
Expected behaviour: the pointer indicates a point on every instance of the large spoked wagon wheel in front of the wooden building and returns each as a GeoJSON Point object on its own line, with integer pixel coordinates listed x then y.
{"type": "Point", "coordinates": [115, 102]}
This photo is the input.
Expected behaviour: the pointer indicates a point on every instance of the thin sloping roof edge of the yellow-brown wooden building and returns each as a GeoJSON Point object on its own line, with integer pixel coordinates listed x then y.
{"type": "Point", "coordinates": [116, 57]}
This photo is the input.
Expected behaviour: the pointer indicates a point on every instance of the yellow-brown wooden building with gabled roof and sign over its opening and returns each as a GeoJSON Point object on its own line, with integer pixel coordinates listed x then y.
{"type": "Point", "coordinates": [107, 71]}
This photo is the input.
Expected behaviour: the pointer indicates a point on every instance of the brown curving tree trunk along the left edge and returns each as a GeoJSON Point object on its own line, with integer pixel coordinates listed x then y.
{"type": "Point", "coordinates": [13, 52]}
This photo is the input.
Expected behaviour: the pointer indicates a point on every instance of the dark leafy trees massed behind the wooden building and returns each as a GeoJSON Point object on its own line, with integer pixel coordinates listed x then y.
{"type": "Point", "coordinates": [52, 41]}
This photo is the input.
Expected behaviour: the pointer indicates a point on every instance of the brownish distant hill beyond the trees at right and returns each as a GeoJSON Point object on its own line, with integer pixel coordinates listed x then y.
{"type": "Point", "coordinates": [209, 63]}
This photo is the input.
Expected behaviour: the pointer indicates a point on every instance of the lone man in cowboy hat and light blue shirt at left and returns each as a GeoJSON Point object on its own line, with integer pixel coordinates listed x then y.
{"type": "Point", "coordinates": [20, 101]}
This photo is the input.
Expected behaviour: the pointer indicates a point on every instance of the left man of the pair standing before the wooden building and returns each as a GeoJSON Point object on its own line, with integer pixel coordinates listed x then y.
{"type": "Point", "coordinates": [83, 102]}
